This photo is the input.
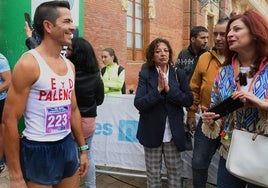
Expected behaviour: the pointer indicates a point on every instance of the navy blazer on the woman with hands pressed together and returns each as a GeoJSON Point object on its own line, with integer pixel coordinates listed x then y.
{"type": "Point", "coordinates": [155, 107]}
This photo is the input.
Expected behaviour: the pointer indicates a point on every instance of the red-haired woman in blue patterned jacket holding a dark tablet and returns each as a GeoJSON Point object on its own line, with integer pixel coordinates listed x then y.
{"type": "Point", "coordinates": [245, 69]}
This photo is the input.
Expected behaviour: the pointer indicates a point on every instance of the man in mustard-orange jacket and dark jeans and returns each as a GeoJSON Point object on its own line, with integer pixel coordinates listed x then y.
{"type": "Point", "coordinates": [201, 84]}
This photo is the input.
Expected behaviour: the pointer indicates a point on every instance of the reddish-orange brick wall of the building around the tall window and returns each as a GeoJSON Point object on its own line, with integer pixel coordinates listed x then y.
{"type": "Point", "coordinates": [105, 26]}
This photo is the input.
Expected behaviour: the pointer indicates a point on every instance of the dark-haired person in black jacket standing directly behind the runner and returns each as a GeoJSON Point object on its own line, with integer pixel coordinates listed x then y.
{"type": "Point", "coordinates": [89, 91]}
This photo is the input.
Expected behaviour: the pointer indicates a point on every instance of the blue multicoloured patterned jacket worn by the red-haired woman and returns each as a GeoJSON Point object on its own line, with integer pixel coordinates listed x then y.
{"type": "Point", "coordinates": [225, 85]}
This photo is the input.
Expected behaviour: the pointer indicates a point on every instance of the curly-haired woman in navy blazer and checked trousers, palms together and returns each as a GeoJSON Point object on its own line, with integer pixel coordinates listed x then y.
{"type": "Point", "coordinates": [159, 99]}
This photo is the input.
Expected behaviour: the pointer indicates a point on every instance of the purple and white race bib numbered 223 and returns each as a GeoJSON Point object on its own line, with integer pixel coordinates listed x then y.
{"type": "Point", "coordinates": [58, 119]}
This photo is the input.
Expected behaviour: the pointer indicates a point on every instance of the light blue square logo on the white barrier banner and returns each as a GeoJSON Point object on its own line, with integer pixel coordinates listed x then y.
{"type": "Point", "coordinates": [128, 130]}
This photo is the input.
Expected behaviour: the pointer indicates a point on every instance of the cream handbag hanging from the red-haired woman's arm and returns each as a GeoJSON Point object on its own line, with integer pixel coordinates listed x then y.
{"type": "Point", "coordinates": [248, 159]}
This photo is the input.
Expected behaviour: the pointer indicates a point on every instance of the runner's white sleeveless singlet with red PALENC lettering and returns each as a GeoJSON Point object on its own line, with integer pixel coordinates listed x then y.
{"type": "Point", "coordinates": [47, 114]}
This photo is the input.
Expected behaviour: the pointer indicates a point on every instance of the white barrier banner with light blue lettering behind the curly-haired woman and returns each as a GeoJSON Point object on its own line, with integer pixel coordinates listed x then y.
{"type": "Point", "coordinates": [115, 143]}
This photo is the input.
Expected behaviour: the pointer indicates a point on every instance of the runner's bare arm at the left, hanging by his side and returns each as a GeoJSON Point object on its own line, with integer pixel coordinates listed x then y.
{"type": "Point", "coordinates": [24, 75]}
